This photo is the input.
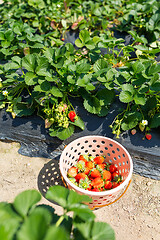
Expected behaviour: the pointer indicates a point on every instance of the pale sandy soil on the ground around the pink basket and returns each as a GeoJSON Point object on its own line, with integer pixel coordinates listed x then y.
{"type": "Point", "coordinates": [136, 216]}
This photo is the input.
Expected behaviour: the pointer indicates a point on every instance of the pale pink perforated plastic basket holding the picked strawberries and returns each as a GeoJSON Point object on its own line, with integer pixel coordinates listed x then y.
{"type": "Point", "coordinates": [98, 145]}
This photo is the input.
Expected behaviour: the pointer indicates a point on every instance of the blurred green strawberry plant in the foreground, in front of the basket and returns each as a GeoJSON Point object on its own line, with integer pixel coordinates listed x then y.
{"type": "Point", "coordinates": [25, 219]}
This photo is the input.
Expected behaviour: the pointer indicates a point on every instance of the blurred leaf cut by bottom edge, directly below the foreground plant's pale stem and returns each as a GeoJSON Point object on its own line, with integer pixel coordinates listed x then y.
{"type": "Point", "coordinates": [58, 233]}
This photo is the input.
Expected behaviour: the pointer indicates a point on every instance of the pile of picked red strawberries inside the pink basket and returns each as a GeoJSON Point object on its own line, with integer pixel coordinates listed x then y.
{"type": "Point", "coordinates": [94, 174]}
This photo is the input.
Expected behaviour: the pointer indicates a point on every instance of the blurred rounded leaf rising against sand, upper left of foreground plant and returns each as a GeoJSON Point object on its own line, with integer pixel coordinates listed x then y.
{"type": "Point", "coordinates": [25, 201]}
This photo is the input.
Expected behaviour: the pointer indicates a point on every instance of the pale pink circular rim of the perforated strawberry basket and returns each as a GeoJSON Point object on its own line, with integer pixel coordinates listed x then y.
{"type": "Point", "coordinates": [87, 192]}
